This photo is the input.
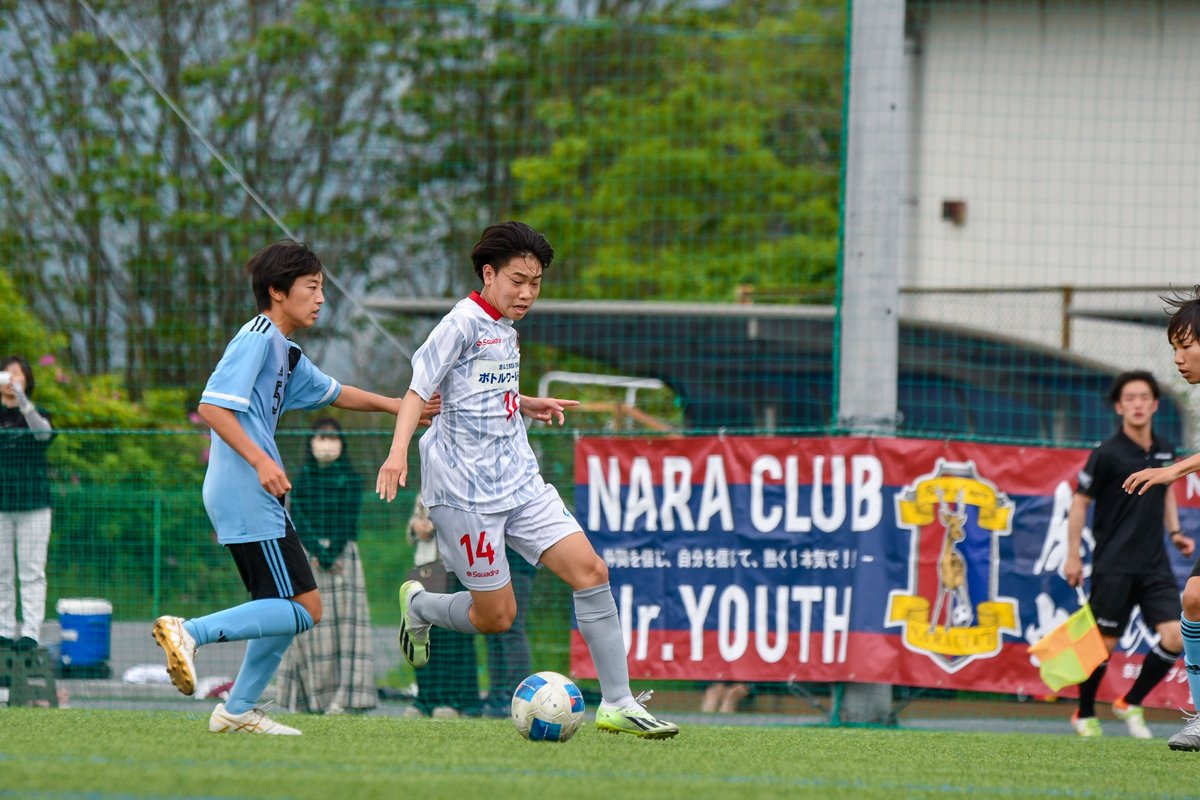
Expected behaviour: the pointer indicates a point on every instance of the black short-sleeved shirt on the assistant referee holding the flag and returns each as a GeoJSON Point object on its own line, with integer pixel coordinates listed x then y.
{"type": "Point", "coordinates": [1129, 528]}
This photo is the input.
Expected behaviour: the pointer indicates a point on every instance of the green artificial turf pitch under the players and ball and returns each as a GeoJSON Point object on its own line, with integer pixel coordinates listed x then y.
{"type": "Point", "coordinates": [86, 754]}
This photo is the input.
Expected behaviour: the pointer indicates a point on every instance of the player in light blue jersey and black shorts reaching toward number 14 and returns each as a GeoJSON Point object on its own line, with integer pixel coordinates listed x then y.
{"type": "Point", "coordinates": [262, 375]}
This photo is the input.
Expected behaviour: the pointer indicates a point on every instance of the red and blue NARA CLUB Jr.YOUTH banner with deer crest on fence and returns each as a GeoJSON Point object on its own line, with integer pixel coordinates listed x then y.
{"type": "Point", "coordinates": [923, 563]}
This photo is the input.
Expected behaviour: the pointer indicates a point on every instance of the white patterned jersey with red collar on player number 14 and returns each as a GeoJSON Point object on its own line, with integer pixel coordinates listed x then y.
{"type": "Point", "coordinates": [476, 456]}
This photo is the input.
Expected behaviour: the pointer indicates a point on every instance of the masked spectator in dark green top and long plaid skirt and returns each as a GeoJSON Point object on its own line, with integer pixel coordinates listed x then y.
{"type": "Point", "coordinates": [331, 669]}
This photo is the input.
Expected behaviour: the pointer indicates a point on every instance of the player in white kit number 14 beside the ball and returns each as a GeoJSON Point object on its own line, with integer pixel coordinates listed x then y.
{"type": "Point", "coordinates": [482, 483]}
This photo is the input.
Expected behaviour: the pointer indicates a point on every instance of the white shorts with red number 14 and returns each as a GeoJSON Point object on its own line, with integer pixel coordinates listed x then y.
{"type": "Point", "coordinates": [472, 544]}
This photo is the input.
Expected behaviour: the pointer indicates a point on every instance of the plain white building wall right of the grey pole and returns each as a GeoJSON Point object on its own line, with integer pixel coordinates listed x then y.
{"type": "Point", "coordinates": [1072, 133]}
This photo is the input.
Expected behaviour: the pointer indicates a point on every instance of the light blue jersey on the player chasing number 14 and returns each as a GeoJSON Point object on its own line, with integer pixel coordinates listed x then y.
{"type": "Point", "coordinates": [261, 376]}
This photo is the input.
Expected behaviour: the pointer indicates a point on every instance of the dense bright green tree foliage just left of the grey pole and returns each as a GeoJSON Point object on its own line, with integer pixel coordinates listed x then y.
{"type": "Point", "coordinates": [722, 172]}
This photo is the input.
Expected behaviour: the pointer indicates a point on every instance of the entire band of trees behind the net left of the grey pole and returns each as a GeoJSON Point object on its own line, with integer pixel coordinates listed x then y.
{"type": "Point", "coordinates": [670, 149]}
